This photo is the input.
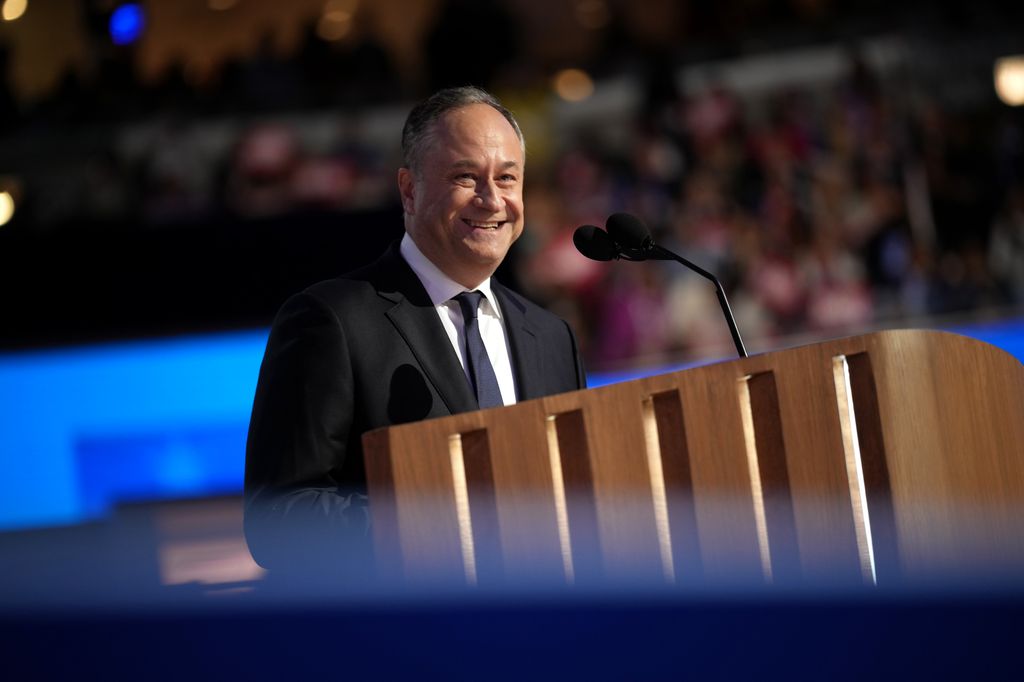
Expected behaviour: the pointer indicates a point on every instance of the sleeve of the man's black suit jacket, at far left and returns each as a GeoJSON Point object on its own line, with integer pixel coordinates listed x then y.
{"type": "Point", "coordinates": [297, 517]}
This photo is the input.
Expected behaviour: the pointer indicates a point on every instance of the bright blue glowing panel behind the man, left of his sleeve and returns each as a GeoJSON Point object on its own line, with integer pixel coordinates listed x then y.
{"type": "Point", "coordinates": [83, 430]}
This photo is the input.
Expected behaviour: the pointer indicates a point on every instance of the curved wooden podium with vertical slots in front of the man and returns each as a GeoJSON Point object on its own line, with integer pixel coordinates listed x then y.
{"type": "Point", "coordinates": [889, 458]}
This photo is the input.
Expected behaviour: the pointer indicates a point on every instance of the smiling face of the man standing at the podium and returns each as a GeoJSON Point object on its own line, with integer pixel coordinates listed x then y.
{"type": "Point", "coordinates": [464, 203]}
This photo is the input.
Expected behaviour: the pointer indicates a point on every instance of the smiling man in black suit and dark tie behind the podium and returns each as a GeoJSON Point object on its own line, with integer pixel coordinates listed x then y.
{"type": "Point", "coordinates": [422, 332]}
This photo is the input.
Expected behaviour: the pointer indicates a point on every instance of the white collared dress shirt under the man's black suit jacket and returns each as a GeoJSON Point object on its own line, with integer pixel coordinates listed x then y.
{"type": "Point", "coordinates": [442, 289]}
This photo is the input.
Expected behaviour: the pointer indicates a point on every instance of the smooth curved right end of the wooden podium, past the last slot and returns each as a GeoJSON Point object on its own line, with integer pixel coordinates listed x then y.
{"type": "Point", "coordinates": [953, 421]}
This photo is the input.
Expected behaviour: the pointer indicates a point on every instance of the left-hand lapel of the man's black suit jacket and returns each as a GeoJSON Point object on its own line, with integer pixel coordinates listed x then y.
{"type": "Point", "coordinates": [416, 319]}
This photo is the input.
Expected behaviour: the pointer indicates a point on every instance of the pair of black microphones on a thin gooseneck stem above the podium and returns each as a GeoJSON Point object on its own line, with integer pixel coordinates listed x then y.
{"type": "Point", "coordinates": [630, 238]}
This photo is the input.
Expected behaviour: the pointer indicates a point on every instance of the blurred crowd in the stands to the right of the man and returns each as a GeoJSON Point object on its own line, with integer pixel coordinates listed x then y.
{"type": "Point", "coordinates": [824, 214]}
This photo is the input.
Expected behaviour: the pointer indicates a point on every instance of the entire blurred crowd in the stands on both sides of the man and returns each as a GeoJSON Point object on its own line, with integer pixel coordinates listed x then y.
{"type": "Point", "coordinates": [824, 210]}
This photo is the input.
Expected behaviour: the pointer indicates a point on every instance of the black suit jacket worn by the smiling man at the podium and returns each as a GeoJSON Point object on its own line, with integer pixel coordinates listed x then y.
{"type": "Point", "coordinates": [353, 355]}
